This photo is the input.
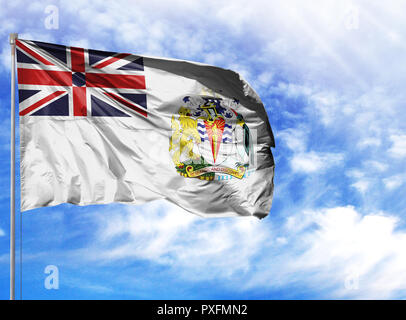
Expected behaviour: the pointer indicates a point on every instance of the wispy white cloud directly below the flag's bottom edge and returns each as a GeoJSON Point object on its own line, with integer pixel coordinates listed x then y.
{"type": "Point", "coordinates": [166, 234]}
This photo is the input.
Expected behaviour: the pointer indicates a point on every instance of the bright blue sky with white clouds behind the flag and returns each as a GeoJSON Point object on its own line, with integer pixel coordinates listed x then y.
{"type": "Point", "coordinates": [332, 77]}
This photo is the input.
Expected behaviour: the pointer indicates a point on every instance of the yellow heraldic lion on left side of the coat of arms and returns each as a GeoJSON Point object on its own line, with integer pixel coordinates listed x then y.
{"type": "Point", "coordinates": [184, 132]}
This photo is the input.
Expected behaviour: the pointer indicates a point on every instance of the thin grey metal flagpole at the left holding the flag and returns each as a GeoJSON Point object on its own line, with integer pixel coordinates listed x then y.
{"type": "Point", "coordinates": [13, 37]}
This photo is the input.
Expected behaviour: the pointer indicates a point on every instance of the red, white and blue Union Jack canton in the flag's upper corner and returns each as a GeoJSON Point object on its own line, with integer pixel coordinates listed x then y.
{"type": "Point", "coordinates": [57, 80]}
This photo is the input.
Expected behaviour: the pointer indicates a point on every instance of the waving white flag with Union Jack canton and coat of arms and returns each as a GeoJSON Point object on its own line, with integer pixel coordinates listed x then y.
{"type": "Point", "coordinates": [98, 127]}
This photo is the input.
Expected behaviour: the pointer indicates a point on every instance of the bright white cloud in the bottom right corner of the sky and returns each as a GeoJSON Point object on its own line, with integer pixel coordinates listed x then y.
{"type": "Point", "coordinates": [329, 246]}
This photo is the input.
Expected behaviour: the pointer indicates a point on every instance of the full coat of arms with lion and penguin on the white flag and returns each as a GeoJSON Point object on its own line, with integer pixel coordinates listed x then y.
{"type": "Point", "coordinates": [209, 138]}
